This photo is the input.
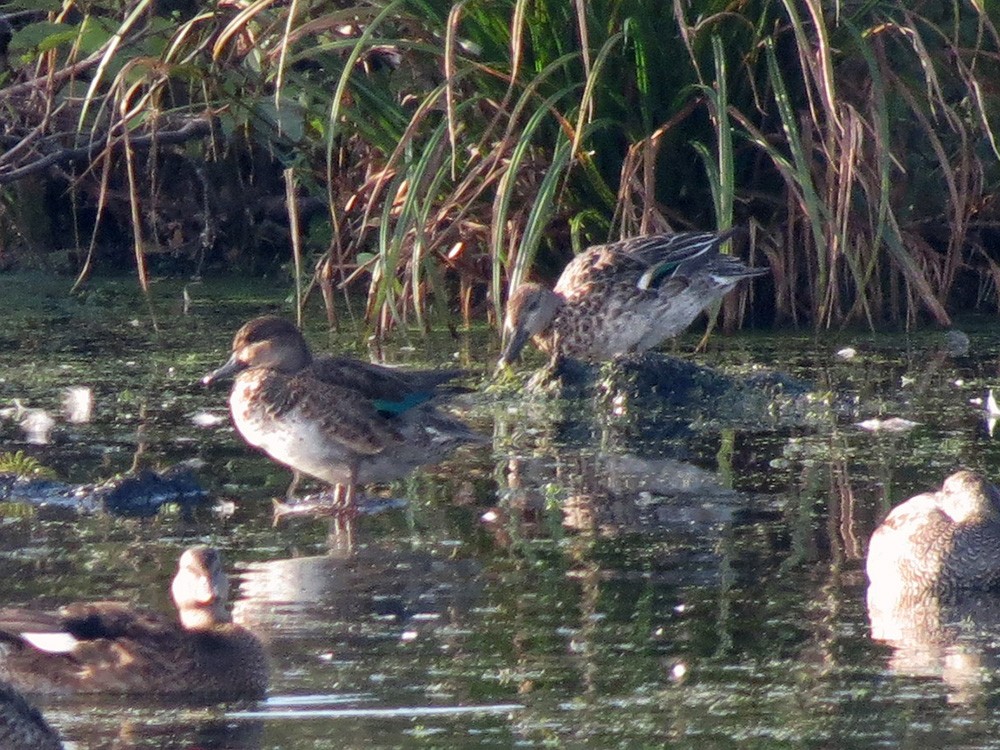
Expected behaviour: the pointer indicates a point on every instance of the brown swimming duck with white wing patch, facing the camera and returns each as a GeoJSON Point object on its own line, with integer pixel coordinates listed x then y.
{"type": "Point", "coordinates": [109, 647]}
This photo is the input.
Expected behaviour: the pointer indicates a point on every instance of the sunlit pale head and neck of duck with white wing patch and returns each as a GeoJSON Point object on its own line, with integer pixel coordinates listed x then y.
{"type": "Point", "coordinates": [200, 588]}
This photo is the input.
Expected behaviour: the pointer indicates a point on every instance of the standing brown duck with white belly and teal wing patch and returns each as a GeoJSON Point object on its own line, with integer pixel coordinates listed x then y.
{"type": "Point", "coordinates": [337, 419]}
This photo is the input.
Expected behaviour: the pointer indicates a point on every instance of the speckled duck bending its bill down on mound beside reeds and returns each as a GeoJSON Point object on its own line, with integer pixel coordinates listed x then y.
{"type": "Point", "coordinates": [624, 297]}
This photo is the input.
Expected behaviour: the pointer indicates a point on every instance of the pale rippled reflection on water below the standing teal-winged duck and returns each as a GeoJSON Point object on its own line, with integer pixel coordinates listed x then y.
{"type": "Point", "coordinates": [367, 597]}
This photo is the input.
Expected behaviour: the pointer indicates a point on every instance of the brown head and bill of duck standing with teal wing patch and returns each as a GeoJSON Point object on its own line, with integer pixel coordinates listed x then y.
{"type": "Point", "coordinates": [268, 341]}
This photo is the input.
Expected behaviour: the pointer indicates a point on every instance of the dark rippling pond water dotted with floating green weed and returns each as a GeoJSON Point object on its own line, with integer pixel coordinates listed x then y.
{"type": "Point", "coordinates": [570, 584]}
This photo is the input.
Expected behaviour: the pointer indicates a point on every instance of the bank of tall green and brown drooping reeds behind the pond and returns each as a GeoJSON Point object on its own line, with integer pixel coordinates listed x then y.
{"type": "Point", "coordinates": [433, 154]}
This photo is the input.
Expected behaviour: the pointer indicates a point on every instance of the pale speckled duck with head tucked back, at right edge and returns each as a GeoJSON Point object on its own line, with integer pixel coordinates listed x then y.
{"type": "Point", "coordinates": [939, 541]}
